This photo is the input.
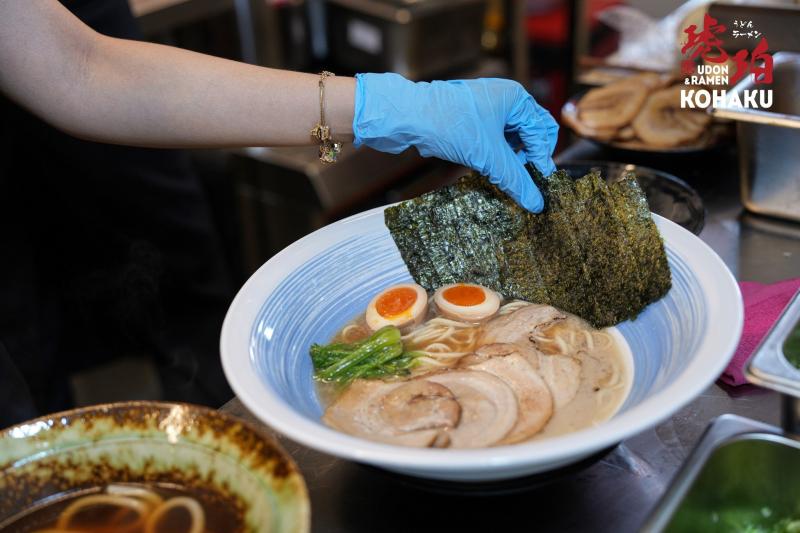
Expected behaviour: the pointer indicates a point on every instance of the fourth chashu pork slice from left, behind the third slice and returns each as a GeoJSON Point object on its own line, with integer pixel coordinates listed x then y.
{"type": "Point", "coordinates": [561, 373]}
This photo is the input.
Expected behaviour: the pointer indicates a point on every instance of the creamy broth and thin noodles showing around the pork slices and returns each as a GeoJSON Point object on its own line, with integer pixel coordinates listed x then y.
{"type": "Point", "coordinates": [605, 360]}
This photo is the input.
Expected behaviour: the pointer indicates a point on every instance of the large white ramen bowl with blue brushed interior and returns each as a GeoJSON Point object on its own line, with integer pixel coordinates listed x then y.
{"type": "Point", "coordinates": [308, 291]}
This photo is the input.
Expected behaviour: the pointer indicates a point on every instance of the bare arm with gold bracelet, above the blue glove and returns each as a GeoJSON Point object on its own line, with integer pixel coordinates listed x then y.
{"type": "Point", "coordinates": [129, 92]}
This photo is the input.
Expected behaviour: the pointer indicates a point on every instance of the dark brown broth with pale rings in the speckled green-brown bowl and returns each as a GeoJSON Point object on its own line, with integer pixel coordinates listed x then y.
{"type": "Point", "coordinates": [106, 516]}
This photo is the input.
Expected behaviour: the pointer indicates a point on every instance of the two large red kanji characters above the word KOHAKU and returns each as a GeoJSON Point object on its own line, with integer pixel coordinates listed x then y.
{"type": "Point", "coordinates": [707, 45]}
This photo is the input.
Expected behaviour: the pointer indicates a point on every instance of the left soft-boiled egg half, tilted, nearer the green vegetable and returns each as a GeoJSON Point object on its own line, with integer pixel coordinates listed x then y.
{"type": "Point", "coordinates": [399, 305]}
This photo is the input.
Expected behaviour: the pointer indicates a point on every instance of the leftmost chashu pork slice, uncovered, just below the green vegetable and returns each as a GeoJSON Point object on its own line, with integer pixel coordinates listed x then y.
{"type": "Point", "coordinates": [405, 413]}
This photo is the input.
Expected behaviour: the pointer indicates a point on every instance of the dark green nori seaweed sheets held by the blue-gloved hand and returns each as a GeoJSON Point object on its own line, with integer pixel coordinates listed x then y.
{"type": "Point", "coordinates": [594, 251]}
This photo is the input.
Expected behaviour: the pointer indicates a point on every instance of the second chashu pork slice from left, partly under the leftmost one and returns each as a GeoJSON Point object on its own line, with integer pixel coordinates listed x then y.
{"type": "Point", "coordinates": [489, 408]}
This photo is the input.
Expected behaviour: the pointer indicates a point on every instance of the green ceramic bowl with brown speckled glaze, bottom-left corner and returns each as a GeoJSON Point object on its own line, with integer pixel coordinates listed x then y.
{"type": "Point", "coordinates": [155, 443]}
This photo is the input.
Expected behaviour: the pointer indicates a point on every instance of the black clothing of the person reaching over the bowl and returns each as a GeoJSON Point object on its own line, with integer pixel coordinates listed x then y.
{"type": "Point", "coordinates": [105, 251]}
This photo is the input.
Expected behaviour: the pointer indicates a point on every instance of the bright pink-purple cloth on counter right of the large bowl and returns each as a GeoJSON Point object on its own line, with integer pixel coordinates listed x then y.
{"type": "Point", "coordinates": [763, 305]}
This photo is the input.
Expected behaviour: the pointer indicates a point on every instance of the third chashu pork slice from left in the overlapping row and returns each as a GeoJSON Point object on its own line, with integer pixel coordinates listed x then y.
{"type": "Point", "coordinates": [534, 399]}
